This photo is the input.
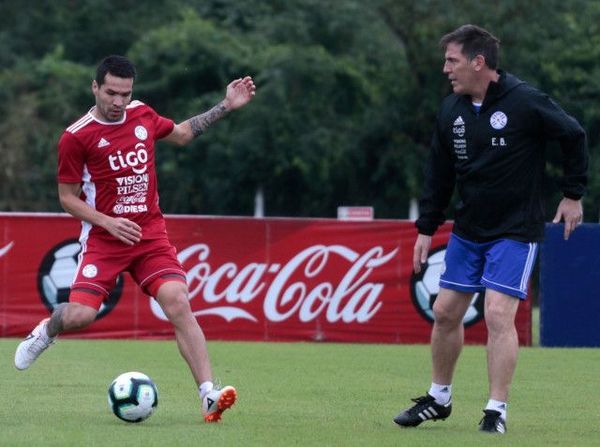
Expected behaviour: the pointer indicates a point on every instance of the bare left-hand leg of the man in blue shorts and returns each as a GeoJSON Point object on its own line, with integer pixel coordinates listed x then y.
{"type": "Point", "coordinates": [447, 335]}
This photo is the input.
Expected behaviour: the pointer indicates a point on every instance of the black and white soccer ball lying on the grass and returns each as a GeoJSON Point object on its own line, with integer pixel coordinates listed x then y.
{"type": "Point", "coordinates": [132, 396]}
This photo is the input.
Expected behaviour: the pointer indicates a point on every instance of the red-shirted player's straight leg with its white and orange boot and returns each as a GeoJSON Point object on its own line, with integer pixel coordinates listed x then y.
{"type": "Point", "coordinates": [173, 298]}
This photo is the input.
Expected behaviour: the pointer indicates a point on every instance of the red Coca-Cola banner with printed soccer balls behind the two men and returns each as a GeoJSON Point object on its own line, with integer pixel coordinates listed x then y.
{"type": "Point", "coordinates": [249, 279]}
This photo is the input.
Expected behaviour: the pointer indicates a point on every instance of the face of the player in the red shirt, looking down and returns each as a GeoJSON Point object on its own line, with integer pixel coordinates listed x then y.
{"type": "Point", "coordinates": [112, 97]}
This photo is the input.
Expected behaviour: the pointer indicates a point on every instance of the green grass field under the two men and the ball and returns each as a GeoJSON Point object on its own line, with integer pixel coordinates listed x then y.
{"type": "Point", "coordinates": [303, 394]}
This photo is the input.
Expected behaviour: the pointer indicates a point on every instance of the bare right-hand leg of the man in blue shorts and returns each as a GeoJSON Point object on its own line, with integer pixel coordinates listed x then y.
{"type": "Point", "coordinates": [503, 342]}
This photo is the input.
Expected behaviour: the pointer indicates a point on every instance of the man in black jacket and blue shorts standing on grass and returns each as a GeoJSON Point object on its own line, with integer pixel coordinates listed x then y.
{"type": "Point", "coordinates": [489, 141]}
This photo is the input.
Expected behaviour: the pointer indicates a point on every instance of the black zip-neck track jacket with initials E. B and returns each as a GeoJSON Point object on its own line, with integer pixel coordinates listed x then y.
{"type": "Point", "coordinates": [496, 160]}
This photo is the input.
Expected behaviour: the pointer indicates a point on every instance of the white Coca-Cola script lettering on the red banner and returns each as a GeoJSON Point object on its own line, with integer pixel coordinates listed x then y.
{"type": "Point", "coordinates": [226, 289]}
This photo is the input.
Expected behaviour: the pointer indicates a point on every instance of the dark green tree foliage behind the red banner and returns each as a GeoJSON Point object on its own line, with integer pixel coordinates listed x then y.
{"type": "Point", "coordinates": [347, 92]}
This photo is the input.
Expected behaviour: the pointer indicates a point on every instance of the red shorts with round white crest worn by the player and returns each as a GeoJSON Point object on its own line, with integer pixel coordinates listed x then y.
{"type": "Point", "coordinates": [102, 260]}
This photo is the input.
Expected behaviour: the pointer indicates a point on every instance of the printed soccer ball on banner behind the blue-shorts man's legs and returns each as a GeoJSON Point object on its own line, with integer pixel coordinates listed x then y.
{"type": "Point", "coordinates": [425, 287]}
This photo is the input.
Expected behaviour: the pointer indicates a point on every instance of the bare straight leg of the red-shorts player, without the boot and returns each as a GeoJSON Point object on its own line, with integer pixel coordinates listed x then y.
{"type": "Point", "coordinates": [173, 298]}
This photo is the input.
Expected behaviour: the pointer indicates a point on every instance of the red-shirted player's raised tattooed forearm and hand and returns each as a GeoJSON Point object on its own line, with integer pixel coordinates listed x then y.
{"type": "Point", "coordinates": [239, 93]}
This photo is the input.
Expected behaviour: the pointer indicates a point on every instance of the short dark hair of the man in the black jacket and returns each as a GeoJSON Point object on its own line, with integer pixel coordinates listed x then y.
{"type": "Point", "coordinates": [474, 40]}
